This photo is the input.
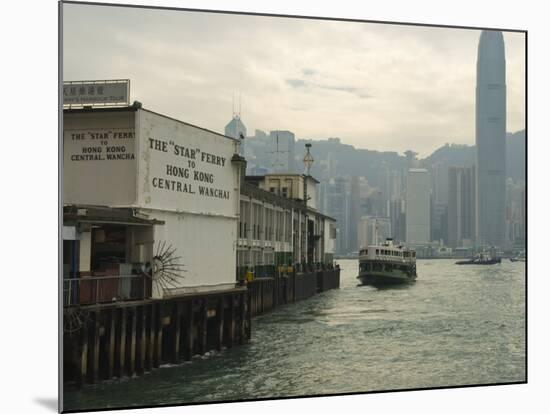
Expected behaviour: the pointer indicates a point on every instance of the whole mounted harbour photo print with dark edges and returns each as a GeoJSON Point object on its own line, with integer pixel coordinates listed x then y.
{"type": "Point", "coordinates": [260, 207]}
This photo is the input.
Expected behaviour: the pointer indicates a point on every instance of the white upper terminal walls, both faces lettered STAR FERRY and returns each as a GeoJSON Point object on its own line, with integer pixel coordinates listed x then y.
{"type": "Point", "coordinates": [142, 159]}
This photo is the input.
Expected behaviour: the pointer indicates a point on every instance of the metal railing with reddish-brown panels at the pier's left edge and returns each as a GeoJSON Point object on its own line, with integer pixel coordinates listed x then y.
{"type": "Point", "coordinates": [105, 289]}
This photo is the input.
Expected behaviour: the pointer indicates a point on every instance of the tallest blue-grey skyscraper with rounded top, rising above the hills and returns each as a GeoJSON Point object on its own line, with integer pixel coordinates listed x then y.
{"type": "Point", "coordinates": [491, 138]}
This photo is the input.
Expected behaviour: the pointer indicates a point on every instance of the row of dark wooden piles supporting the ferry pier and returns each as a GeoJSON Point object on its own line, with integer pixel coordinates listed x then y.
{"type": "Point", "coordinates": [130, 338]}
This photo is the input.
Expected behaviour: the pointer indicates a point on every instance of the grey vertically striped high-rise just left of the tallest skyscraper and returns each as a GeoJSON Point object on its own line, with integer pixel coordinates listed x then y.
{"type": "Point", "coordinates": [461, 224]}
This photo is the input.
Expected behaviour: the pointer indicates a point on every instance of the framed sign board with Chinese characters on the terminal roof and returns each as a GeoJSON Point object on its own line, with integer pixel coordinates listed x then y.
{"type": "Point", "coordinates": [97, 93]}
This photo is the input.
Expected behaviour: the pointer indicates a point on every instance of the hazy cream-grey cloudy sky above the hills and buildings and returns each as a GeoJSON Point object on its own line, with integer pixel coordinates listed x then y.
{"type": "Point", "coordinates": [376, 86]}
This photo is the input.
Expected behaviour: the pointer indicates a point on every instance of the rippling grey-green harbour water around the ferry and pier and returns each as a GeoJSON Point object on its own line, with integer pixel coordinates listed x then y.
{"type": "Point", "coordinates": [455, 325]}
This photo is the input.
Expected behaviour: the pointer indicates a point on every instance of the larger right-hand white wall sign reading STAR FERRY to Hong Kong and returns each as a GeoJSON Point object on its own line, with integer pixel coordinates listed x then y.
{"type": "Point", "coordinates": [185, 168]}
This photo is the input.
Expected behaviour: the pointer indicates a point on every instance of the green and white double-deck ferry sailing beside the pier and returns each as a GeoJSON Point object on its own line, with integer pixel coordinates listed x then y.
{"type": "Point", "coordinates": [386, 264]}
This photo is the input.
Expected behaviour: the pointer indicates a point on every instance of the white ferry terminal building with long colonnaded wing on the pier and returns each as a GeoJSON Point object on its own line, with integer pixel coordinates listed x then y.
{"type": "Point", "coordinates": [138, 185]}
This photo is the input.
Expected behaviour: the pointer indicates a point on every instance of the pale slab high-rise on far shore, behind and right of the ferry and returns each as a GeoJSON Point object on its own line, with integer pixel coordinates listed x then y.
{"type": "Point", "coordinates": [418, 206]}
